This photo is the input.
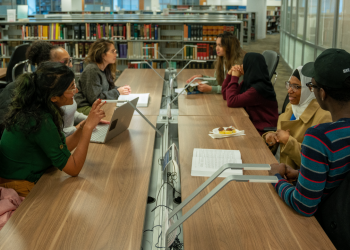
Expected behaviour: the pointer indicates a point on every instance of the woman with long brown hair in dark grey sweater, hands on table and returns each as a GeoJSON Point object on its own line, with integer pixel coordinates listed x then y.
{"type": "Point", "coordinates": [97, 79]}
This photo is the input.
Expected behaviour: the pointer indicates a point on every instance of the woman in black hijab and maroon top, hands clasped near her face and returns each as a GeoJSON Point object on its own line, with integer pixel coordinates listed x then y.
{"type": "Point", "coordinates": [255, 93]}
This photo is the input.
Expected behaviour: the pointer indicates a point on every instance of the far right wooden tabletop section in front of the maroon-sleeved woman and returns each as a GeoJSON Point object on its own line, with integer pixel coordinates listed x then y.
{"type": "Point", "coordinates": [203, 104]}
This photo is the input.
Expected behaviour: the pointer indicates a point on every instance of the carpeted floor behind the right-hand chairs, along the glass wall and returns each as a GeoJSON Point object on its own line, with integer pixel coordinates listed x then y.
{"type": "Point", "coordinates": [272, 42]}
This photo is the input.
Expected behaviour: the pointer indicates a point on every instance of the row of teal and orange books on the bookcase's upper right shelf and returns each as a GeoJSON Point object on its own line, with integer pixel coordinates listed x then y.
{"type": "Point", "coordinates": [196, 32]}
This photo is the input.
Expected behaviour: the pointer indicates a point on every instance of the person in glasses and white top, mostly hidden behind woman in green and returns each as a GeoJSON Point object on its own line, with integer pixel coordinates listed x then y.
{"type": "Point", "coordinates": [38, 52]}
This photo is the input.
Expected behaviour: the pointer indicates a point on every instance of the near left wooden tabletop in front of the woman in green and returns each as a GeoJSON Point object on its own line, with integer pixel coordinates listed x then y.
{"type": "Point", "coordinates": [103, 208]}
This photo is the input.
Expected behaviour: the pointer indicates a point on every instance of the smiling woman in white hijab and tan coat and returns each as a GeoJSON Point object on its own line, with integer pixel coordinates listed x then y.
{"type": "Point", "coordinates": [302, 112]}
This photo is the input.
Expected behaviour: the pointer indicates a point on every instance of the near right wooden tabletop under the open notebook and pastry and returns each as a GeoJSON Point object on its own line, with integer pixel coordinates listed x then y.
{"type": "Point", "coordinates": [241, 215]}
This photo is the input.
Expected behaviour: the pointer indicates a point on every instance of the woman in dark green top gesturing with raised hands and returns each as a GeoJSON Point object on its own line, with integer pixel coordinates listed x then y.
{"type": "Point", "coordinates": [33, 140]}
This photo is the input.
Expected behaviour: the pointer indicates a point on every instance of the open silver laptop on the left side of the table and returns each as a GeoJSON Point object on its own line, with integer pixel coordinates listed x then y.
{"type": "Point", "coordinates": [119, 123]}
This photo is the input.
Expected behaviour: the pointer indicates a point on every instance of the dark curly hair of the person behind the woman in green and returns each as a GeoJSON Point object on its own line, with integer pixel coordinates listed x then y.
{"type": "Point", "coordinates": [39, 51]}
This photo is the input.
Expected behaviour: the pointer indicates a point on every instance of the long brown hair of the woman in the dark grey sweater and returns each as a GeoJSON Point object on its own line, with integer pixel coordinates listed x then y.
{"type": "Point", "coordinates": [97, 49]}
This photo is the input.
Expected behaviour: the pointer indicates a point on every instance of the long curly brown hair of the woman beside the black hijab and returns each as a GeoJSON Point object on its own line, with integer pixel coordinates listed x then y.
{"type": "Point", "coordinates": [234, 54]}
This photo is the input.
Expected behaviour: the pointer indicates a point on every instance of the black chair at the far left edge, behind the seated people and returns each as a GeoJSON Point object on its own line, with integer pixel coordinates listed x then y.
{"type": "Point", "coordinates": [16, 64]}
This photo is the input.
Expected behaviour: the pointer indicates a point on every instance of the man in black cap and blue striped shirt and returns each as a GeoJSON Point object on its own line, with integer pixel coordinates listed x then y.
{"type": "Point", "coordinates": [325, 151]}
